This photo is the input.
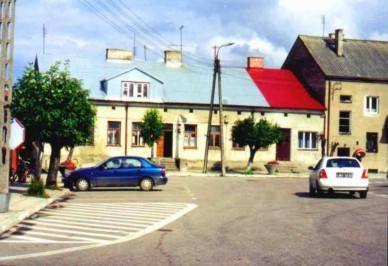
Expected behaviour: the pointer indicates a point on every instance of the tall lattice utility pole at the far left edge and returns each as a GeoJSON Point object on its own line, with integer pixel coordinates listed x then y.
{"type": "Point", "coordinates": [6, 77]}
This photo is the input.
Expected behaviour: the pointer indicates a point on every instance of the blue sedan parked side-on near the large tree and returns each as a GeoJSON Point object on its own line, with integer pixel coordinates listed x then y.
{"type": "Point", "coordinates": [127, 171]}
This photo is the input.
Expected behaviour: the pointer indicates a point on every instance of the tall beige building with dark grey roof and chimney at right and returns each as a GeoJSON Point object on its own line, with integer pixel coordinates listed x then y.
{"type": "Point", "coordinates": [350, 77]}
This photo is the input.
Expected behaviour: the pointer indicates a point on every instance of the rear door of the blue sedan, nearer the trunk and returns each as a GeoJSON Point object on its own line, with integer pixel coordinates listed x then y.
{"type": "Point", "coordinates": [130, 172]}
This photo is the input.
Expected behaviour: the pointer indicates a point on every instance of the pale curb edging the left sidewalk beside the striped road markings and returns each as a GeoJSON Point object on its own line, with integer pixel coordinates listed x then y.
{"type": "Point", "coordinates": [22, 215]}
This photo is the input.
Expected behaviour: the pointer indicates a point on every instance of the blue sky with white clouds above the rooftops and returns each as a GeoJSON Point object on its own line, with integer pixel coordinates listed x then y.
{"type": "Point", "coordinates": [85, 28]}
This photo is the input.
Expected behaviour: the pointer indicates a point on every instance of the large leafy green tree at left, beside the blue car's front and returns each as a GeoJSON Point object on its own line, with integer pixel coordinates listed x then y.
{"type": "Point", "coordinates": [54, 109]}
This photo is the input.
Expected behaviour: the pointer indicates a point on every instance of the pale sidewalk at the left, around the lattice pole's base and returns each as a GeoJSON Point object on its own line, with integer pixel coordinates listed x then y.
{"type": "Point", "coordinates": [23, 206]}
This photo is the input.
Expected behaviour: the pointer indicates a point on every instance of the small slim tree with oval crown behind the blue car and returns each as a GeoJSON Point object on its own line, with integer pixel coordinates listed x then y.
{"type": "Point", "coordinates": [151, 128]}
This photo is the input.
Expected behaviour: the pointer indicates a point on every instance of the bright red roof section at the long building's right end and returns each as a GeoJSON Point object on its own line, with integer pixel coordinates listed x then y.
{"type": "Point", "coordinates": [282, 89]}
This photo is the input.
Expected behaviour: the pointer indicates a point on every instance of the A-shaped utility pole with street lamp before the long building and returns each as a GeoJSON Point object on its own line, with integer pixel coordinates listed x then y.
{"type": "Point", "coordinates": [216, 76]}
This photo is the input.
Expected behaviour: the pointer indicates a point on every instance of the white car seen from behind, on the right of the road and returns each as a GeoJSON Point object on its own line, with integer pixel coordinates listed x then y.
{"type": "Point", "coordinates": [333, 174]}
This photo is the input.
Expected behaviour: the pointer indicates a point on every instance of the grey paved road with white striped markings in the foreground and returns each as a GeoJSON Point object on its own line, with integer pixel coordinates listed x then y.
{"type": "Point", "coordinates": [238, 221]}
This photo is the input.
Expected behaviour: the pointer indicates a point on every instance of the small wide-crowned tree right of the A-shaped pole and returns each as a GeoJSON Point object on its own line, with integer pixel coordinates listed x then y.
{"type": "Point", "coordinates": [255, 135]}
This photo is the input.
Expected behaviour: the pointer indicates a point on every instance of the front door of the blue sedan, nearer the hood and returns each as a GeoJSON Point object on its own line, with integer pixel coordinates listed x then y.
{"type": "Point", "coordinates": [107, 174]}
